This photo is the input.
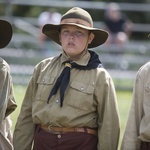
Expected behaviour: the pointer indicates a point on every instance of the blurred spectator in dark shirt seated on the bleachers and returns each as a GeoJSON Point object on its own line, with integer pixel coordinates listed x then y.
{"type": "Point", "coordinates": [117, 24]}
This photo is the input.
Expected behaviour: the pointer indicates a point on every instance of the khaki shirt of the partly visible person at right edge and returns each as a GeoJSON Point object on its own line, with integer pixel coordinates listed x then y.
{"type": "Point", "coordinates": [138, 123]}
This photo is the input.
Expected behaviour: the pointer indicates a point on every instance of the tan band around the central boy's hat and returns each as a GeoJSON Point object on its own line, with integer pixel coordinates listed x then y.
{"type": "Point", "coordinates": [76, 21]}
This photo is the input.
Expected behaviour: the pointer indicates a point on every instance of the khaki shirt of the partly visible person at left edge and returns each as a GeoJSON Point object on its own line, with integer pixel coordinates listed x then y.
{"type": "Point", "coordinates": [7, 106]}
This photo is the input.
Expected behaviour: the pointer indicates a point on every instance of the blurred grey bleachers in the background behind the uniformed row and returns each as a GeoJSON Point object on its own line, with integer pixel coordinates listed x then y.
{"type": "Point", "coordinates": [27, 48]}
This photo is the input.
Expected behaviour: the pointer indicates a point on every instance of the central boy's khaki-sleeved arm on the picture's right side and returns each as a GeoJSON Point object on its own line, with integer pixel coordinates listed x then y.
{"type": "Point", "coordinates": [108, 115]}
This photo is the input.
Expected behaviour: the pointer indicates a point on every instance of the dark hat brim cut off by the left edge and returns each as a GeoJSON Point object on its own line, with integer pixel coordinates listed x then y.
{"type": "Point", "coordinates": [5, 33]}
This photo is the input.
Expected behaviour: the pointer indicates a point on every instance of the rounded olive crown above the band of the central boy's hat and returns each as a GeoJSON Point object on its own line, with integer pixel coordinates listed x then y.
{"type": "Point", "coordinates": [78, 13]}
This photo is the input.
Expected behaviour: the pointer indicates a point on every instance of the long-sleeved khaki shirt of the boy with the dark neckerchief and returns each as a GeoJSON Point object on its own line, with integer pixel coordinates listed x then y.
{"type": "Point", "coordinates": [89, 101]}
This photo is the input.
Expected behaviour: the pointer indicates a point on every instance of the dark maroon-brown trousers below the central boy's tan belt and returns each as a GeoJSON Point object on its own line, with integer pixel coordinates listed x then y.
{"type": "Point", "coordinates": [44, 140]}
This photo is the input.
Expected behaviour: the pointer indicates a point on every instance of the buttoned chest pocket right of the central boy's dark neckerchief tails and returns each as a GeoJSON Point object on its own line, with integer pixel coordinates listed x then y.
{"type": "Point", "coordinates": [80, 96]}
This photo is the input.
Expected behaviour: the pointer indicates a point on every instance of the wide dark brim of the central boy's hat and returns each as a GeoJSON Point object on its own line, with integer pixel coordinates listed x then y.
{"type": "Point", "coordinates": [52, 31]}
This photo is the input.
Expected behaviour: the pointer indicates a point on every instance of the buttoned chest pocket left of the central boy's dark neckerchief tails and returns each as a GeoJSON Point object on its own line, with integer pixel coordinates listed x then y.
{"type": "Point", "coordinates": [45, 85]}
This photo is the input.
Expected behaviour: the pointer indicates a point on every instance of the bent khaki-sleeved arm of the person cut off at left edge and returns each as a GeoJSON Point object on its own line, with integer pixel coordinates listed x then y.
{"type": "Point", "coordinates": [7, 100]}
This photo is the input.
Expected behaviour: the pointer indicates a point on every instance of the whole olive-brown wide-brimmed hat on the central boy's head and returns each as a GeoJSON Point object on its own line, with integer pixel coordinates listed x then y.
{"type": "Point", "coordinates": [78, 17]}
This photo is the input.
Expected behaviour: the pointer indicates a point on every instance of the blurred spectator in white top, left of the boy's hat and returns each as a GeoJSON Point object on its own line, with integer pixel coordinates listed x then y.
{"type": "Point", "coordinates": [49, 16]}
